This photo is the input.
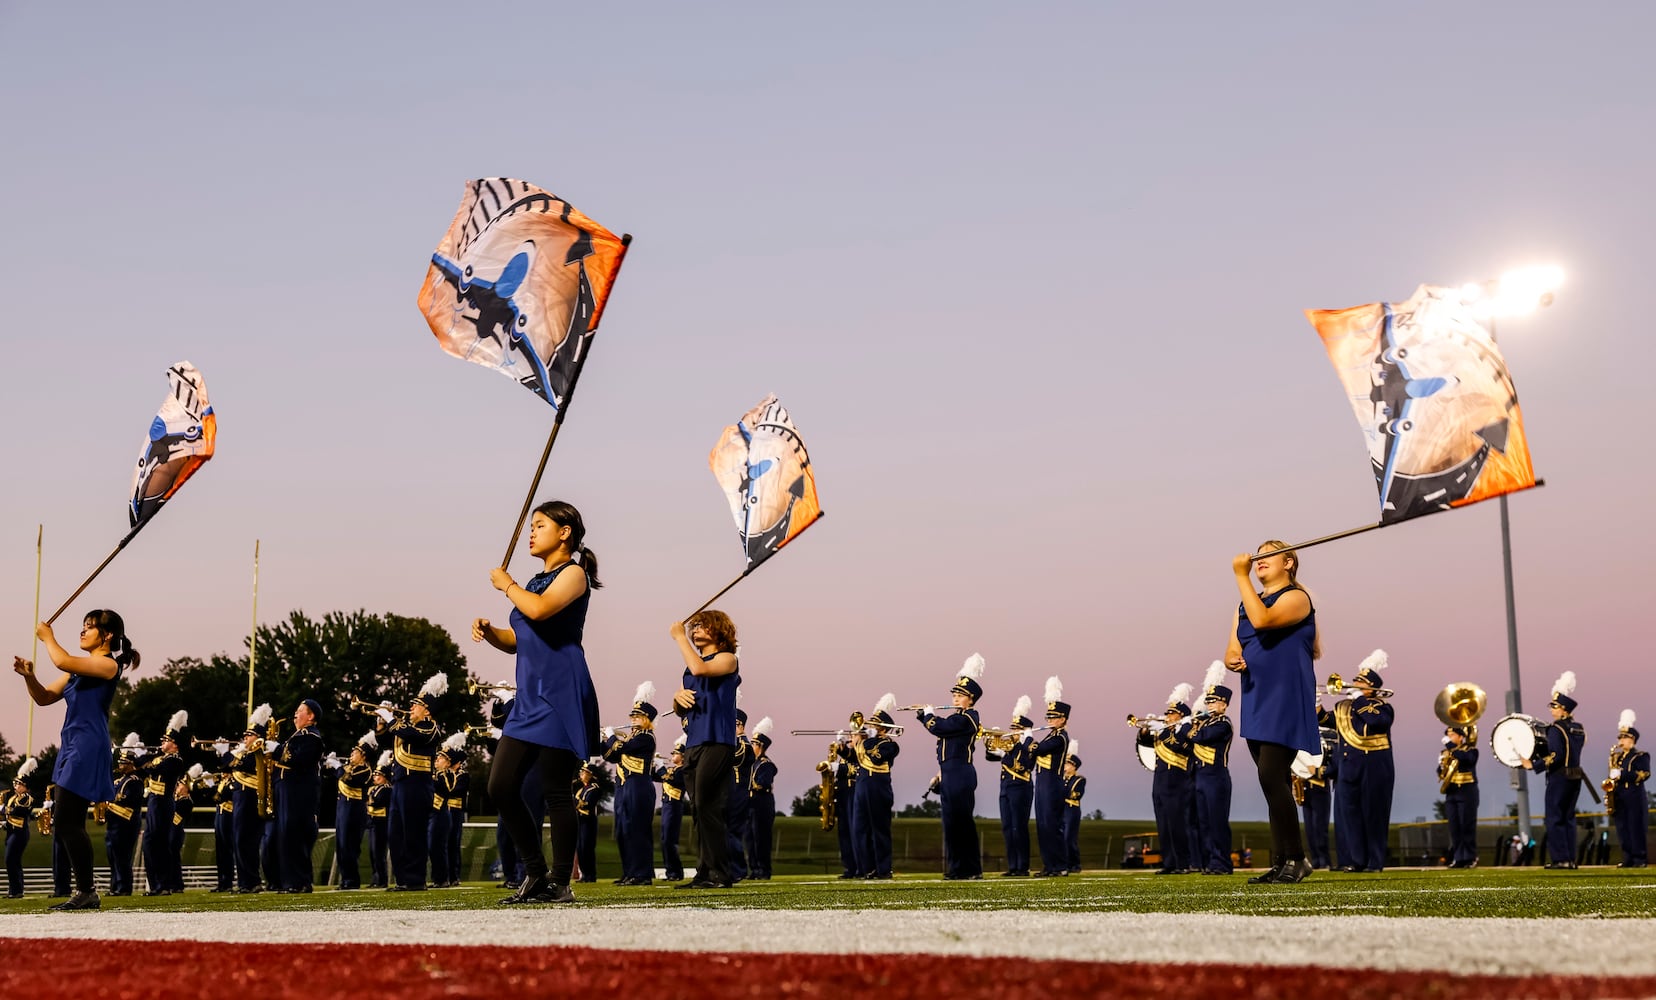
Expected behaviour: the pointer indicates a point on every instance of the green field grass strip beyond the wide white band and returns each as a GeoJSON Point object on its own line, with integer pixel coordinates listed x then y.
{"type": "Point", "coordinates": [1400, 893]}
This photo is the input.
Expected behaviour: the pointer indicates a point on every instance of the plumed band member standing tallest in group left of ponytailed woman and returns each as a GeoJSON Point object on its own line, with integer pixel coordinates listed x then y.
{"type": "Point", "coordinates": [413, 756]}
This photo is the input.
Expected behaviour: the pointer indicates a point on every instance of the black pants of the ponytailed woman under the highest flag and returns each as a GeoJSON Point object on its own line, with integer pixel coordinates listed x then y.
{"type": "Point", "coordinates": [514, 761]}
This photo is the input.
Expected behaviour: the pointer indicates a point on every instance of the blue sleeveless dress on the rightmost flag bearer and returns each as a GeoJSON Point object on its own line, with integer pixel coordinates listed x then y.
{"type": "Point", "coordinates": [1279, 686]}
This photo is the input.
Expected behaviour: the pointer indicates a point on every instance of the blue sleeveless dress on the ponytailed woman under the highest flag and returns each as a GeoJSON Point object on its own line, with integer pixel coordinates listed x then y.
{"type": "Point", "coordinates": [556, 703]}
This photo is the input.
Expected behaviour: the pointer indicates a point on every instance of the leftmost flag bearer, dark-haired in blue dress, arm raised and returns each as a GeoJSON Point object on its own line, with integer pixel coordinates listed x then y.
{"type": "Point", "coordinates": [85, 754]}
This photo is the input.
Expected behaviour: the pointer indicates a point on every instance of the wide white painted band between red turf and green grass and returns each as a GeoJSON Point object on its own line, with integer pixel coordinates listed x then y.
{"type": "Point", "coordinates": [1495, 946]}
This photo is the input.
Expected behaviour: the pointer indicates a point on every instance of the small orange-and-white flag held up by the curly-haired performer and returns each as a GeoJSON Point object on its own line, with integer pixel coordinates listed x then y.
{"type": "Point", "coordinates": [768, 478]}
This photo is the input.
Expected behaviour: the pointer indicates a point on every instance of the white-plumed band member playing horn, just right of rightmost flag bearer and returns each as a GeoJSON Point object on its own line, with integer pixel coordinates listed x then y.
{"type": "Point", "coordinates": [1367, 771]}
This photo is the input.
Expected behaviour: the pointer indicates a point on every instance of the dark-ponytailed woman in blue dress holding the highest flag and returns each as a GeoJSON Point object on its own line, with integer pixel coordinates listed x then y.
{"type": "Point", "coordinates": [554, 721]}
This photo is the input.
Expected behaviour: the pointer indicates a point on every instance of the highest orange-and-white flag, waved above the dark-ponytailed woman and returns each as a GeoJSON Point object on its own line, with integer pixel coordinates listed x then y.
{"type": "Point", "coordinates": [519, 284]}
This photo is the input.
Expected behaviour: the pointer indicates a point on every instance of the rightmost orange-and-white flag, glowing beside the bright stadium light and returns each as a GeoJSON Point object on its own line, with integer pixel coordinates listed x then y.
{"type": "Point", "coordinates": [1435, 401]}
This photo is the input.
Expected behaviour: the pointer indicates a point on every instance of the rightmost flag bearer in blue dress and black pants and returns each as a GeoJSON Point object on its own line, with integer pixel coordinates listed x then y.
{"type": "Point", "coordinates": [1273, 647]}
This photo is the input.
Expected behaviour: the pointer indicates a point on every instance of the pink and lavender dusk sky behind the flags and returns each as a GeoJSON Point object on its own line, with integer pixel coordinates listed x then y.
{"type": "Point", "coordinates": [1031, 281]}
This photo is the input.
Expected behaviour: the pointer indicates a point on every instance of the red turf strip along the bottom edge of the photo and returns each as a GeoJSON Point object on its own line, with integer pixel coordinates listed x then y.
{"type": "Point", "coordinates": [42, 969]}
